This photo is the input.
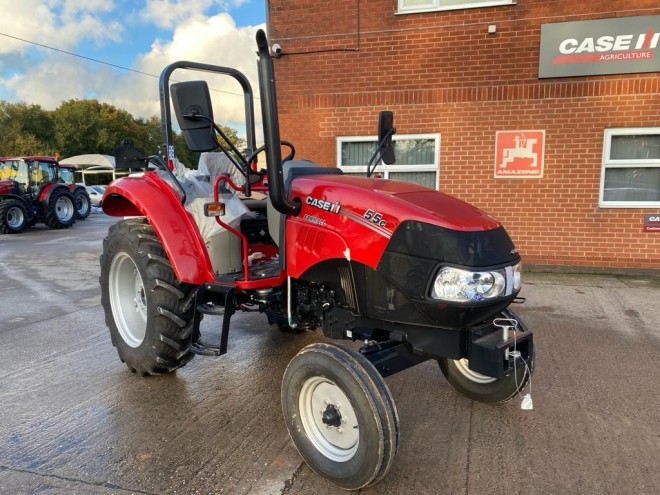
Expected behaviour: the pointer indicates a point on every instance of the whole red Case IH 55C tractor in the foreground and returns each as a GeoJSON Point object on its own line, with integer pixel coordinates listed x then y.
{"type": "Point", "coordinates": [404, 273]}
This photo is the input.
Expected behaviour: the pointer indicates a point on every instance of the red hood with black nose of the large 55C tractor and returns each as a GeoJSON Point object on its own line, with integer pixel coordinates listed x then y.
{"type": "Point", "coordinates": [362, 218]}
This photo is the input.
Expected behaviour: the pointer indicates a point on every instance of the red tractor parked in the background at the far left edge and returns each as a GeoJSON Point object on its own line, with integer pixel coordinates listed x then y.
{"type": "Point", "coordinates": [30, 192]}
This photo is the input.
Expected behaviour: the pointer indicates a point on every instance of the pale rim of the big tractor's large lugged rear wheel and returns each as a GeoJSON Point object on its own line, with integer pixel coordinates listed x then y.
{"type": "Point", "coordinates": [128, 300]}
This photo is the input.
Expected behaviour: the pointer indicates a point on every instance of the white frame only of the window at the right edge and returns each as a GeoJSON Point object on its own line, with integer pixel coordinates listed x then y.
{"type": "Point", "coordinates": [608, 163]}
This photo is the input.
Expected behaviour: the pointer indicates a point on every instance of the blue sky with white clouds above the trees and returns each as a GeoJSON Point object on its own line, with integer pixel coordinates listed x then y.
{"type": "Point", "coordinates": [141, 35]}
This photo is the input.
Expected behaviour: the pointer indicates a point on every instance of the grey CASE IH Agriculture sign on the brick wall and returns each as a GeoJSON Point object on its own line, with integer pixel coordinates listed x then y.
{"type": "Point", "coordinates": [608, 46]}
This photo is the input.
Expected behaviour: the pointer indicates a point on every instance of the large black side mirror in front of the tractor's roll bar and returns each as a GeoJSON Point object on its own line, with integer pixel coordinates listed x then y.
{"type": "Point", "coordinates": [194, 113]}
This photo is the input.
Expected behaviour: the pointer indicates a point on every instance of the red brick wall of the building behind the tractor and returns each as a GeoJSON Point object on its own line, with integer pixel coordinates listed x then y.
{"type": "Point", "coordinates": [442, 72]}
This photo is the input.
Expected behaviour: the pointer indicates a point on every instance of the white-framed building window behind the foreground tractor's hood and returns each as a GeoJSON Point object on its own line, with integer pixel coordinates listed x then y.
{"type": "Point", "coordinates": [417, 157]}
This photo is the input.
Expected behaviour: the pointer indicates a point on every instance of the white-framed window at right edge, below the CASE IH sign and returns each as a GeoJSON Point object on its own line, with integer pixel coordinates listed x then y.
{"type": "Point", "coordinates": [630, 177]}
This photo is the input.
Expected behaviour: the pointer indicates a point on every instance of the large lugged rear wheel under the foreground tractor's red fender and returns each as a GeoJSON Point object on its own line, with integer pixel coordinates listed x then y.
{"type": "Point", "coordinates": [148, 311]}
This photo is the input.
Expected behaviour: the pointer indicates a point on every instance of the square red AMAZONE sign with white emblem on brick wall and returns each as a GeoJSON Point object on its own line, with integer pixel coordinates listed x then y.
{"type": "Point", "coordinates": [519, 154]}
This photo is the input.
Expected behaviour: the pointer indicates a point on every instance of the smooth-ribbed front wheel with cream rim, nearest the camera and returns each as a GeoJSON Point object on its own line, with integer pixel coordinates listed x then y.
{"type": "Point", "coordinates": [340, 415]}
